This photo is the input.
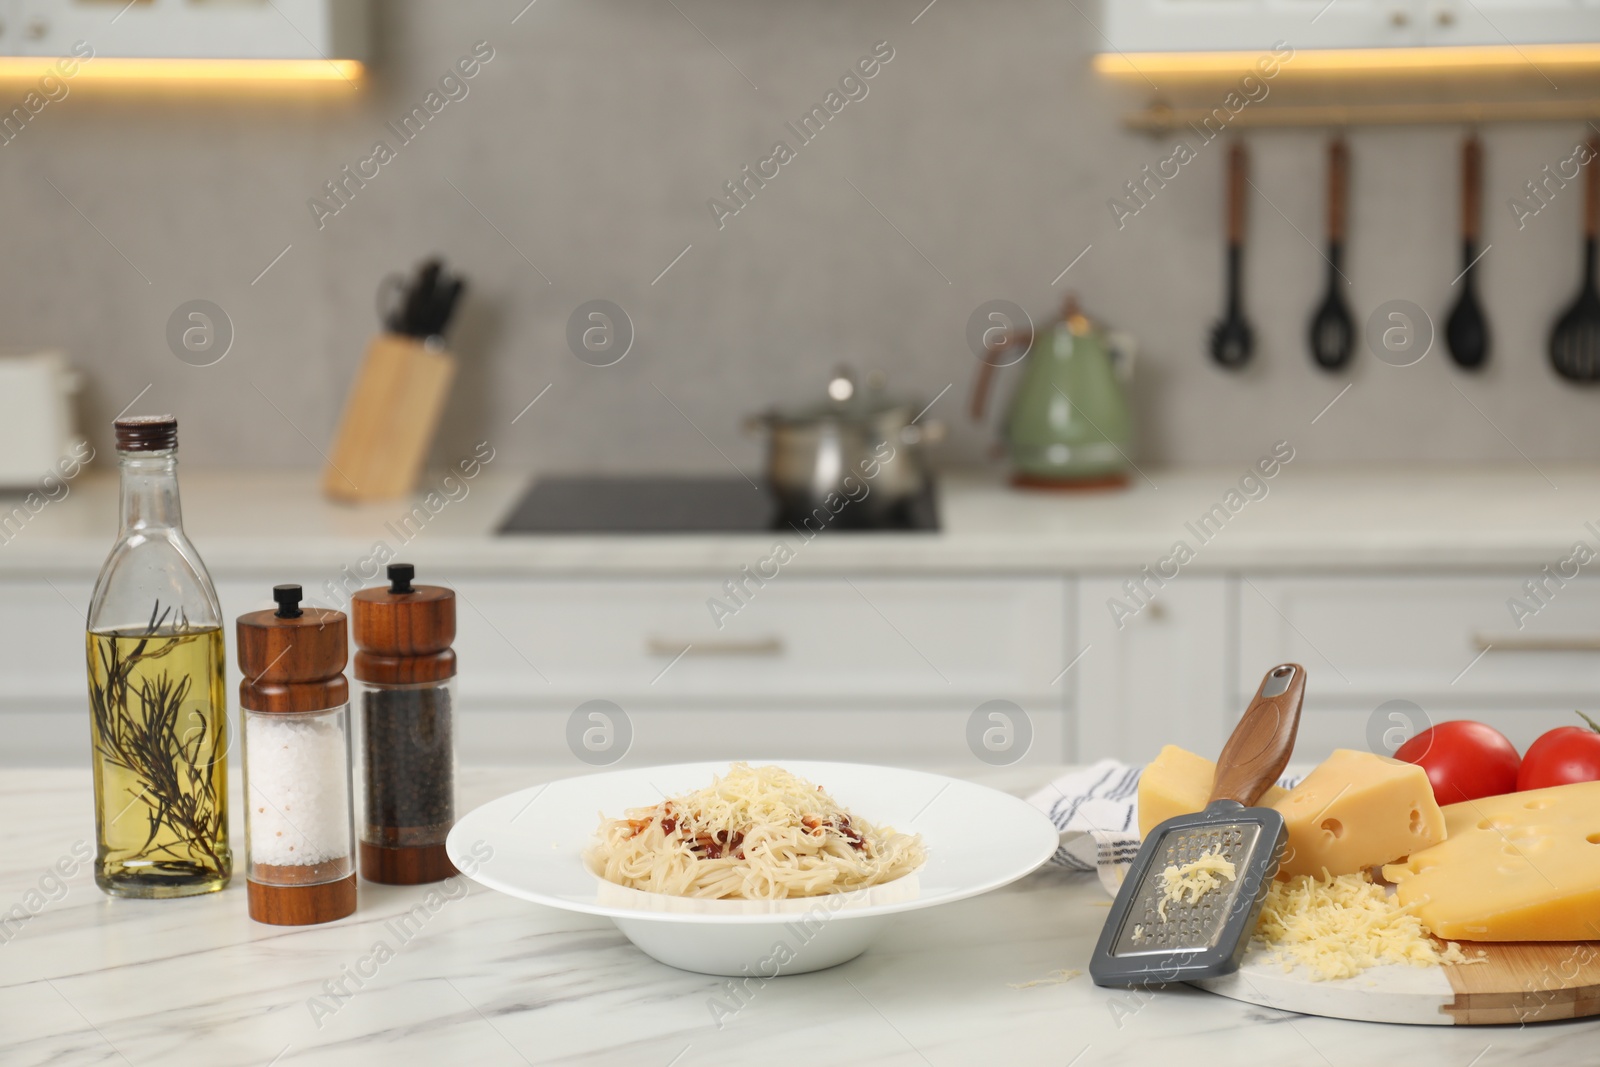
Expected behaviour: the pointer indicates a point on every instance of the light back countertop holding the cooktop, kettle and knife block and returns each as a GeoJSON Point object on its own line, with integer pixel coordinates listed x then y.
{"type": "Point", "coordinates": [1377, 518]}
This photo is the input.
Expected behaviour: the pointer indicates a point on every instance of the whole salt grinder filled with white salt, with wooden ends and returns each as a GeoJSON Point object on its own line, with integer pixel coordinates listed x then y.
{"type": "Point", "coordinates": [300, 820]}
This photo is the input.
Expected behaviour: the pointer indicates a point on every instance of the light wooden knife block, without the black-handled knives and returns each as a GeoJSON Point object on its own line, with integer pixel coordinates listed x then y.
{"type": "Point", "coordinates": [390, 420]}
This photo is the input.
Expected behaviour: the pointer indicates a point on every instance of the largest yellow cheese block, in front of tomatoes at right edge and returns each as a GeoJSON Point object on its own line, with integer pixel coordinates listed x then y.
{"type": "Point", "coordinates": [1516, 868]}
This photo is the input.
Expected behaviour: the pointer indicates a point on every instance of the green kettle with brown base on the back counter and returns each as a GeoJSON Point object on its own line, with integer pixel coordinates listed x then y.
{"type": "Point", "coordinates": [1070, 426]}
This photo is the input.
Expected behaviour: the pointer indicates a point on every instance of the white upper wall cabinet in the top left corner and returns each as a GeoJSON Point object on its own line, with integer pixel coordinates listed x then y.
{"type": "Point", "coordinates": [188, 30]}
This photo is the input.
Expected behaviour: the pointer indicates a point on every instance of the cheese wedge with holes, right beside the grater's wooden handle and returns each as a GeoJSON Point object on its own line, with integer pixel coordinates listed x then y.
{"type": "Point", "coordinates": [1356, 812]}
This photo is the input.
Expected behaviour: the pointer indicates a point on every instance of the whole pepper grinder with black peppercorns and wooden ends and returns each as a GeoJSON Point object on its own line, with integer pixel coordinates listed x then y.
{"type": "Point", "coordinates": [406, 671]}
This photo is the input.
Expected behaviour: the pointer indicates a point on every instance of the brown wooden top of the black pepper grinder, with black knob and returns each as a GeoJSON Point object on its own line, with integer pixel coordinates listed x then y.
{"type": "Point", "coordinates": [404, 631]}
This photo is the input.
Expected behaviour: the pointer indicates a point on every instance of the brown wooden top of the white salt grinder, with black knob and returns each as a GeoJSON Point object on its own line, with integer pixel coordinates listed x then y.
{"type": "Point", "coordinates": [294, 658]}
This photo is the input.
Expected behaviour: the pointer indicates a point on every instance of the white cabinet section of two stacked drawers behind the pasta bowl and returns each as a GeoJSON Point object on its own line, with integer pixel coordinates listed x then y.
{"type": "Point", "coordinates": [831, 668]}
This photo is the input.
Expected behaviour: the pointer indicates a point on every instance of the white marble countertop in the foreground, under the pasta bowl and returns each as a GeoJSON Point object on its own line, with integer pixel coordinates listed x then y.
{"type": "Point", "coordinates": [489, 980]}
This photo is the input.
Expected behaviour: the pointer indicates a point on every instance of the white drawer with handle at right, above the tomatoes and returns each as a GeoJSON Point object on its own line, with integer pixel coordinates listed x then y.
{"type": "Point", "coordinates": [1366, 641]}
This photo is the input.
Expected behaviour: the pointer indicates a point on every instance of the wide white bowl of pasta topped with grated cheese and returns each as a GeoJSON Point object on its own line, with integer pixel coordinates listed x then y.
{"type": "Point", "coordinates": [934, 841]}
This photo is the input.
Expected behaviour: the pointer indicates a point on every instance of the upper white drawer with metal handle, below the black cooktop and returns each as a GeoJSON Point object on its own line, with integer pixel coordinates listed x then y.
{"type": "Point", "coordinates": [798, 642]}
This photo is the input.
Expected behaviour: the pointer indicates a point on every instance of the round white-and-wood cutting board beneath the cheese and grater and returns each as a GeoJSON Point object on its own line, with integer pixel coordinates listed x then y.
{"type": "Point", "coordinates": [1535, 981]}
